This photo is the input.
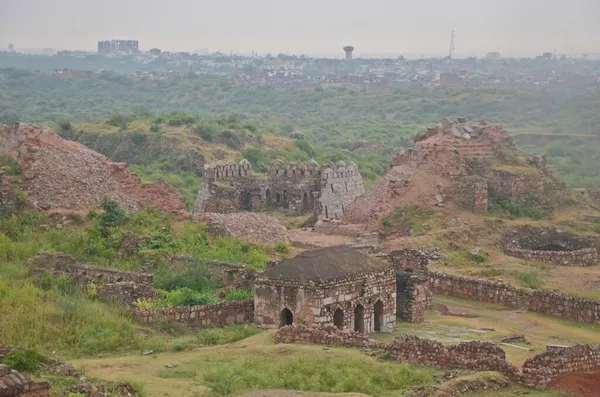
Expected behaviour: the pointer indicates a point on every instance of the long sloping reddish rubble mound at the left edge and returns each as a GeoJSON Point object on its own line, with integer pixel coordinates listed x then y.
{"type": "Point", "coordinates": [59, 174]}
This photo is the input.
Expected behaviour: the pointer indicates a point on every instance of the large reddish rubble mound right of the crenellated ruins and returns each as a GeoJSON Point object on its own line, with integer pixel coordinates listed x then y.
{"type": "Point", "coordinates": [456, 164]}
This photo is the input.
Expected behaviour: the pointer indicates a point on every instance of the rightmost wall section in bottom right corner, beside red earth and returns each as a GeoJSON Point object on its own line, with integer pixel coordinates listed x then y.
{"type": "Point", "coordinates": [540, 370]}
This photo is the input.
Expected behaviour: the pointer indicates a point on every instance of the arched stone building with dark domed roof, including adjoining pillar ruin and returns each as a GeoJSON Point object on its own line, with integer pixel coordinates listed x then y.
{"type": "Point", "coordinates": [339, 286]}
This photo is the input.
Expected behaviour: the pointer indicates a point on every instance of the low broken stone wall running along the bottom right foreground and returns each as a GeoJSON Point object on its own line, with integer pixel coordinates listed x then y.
{"type": "Point", "coordinates": [537, 371]}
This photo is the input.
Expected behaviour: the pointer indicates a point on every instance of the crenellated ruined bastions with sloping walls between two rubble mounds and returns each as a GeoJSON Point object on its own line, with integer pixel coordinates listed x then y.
{"type": "Point", "coordinates": [298, 188]}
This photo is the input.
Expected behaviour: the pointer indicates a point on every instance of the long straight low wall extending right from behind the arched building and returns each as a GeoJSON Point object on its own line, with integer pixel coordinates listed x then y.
{"type": "Point", "coordinates": [545, 302]}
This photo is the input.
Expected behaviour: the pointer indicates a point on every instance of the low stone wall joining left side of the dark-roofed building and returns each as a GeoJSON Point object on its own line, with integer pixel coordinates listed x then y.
{"type": "Point", "coordinates": [200, 316]}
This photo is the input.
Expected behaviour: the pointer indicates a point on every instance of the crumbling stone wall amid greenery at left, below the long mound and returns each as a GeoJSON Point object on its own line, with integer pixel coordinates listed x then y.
{"type": "Point", "coordinates": [116, 285]}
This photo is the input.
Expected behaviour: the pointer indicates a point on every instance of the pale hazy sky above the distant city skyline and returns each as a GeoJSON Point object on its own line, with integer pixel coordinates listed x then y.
{"type": "Point", "coordinates": [515, 27]}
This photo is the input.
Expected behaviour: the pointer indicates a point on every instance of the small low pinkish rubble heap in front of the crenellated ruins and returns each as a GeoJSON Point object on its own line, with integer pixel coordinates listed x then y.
{"type": "Point", "coordinates": [248, 226]}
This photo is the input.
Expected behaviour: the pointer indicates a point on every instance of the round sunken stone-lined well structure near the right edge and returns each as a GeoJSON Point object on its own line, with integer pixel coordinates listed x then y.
{"type": "Point", "coordinates": [550, 246]}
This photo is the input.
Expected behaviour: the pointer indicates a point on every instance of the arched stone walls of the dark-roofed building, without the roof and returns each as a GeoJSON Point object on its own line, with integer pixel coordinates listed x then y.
{"type": "Point", "coordinates": [317, 302]}
